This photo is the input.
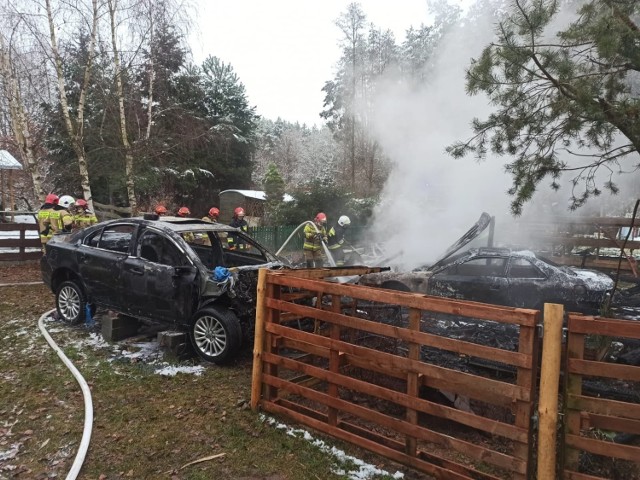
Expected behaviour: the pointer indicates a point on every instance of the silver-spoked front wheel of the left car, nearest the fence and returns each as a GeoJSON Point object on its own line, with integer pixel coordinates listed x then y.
{"type": "Point", "coordinates": [216, 335]}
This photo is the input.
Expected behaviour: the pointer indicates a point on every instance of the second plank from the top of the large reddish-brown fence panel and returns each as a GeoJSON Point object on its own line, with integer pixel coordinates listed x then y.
{"type": "Point", "coordinates": [458, 346]}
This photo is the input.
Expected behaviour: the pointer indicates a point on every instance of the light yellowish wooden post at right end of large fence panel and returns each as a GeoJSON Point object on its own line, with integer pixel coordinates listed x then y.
{"type": "Point", "coordinates": [549, 379]}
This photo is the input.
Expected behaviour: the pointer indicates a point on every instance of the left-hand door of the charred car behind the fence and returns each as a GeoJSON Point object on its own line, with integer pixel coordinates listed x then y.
{"type": "Point", "coordinates": [480, 279]}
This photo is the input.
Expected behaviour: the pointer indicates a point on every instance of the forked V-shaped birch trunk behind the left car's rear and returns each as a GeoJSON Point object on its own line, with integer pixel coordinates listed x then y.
{"type": "Point", "coordinates": [75, 132]}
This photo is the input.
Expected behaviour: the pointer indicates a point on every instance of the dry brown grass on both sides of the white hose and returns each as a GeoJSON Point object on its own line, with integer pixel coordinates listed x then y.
{"type": "Point", "coordinates": [146, 425]}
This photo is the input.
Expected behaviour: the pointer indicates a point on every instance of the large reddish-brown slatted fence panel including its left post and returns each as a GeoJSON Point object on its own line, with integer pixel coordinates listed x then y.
{"type": "Point", "coordinates": [350, 362]}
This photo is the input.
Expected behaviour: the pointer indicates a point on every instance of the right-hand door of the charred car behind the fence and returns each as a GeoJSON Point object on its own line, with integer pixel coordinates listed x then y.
{"type": "Point", "coordinates": [529, 287]}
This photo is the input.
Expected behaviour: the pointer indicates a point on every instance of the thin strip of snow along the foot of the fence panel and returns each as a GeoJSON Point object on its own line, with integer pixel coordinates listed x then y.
{"type": "Point", "coordinates": [363, 470]}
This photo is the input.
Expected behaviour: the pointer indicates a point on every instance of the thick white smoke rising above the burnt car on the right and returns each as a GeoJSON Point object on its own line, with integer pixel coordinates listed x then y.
{"type": "Point", "coordinates": [431, 199]}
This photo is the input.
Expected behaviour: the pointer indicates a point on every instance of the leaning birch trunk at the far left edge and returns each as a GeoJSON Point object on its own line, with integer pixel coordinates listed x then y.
{"type": "Point", "coordinates": [18, 118]}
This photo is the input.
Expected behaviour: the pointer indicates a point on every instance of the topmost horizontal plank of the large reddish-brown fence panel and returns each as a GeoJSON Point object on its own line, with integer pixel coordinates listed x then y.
{"type": "Point", "coordinates": [517, 316]}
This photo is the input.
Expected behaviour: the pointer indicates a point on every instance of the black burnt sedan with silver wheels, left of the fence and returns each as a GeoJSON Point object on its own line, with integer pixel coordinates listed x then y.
{"type": "Point", "coordinates": [162, 269]}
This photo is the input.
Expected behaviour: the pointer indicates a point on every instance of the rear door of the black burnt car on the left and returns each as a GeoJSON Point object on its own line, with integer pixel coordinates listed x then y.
{"type": "Point", "coordinates": [100, 261]}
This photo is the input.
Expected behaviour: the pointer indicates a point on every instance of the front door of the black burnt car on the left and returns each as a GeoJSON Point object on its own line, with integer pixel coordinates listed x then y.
{"type": "Point", "coordinates": [159, 280]}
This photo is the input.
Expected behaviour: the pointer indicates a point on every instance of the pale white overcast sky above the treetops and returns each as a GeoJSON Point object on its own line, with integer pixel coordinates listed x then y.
{"type": "Point", "coordinates": [285, 50]}
